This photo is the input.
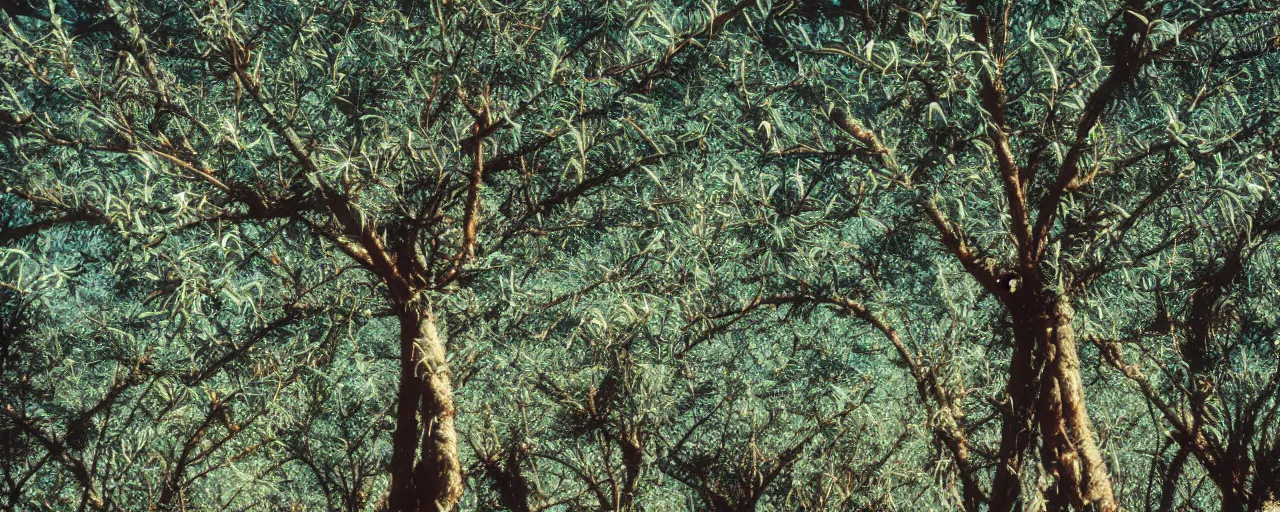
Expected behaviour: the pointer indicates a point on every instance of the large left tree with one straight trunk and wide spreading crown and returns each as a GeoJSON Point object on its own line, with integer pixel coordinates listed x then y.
{"type": "Point", "coordinates": [413, 141]}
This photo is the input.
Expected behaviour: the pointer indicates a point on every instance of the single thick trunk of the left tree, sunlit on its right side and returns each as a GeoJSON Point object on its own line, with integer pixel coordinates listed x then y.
{"type": "Point", "coordinates": [426, 472]}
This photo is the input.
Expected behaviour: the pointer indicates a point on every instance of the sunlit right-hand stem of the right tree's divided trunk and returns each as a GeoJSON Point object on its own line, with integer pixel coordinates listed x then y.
{"type": "Point", "coordinates": [1071, 451]}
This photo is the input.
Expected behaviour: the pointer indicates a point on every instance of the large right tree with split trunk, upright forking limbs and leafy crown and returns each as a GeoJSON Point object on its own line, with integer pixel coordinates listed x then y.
{"type": "Point", "coordinates": [1053, 153]}
